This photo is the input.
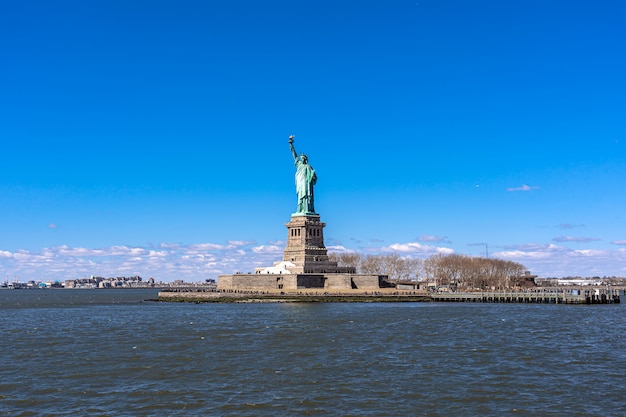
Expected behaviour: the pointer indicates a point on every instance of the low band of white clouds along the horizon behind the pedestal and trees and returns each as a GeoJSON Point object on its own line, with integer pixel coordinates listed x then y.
{"type": "Point", "coordinates": [198, 261]}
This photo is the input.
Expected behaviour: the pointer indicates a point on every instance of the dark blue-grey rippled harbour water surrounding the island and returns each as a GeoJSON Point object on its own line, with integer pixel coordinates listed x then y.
{"type": "Point", "coordinates": [105, 353]}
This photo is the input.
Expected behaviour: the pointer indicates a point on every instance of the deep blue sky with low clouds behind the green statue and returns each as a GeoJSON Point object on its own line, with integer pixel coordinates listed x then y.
{"type": "Point", "coordinates": [150, 137]}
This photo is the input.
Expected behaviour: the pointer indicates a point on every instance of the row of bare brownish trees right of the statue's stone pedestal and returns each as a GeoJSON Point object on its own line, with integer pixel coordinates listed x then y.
{"type": "Point", "coordinates": [461, 271]}
